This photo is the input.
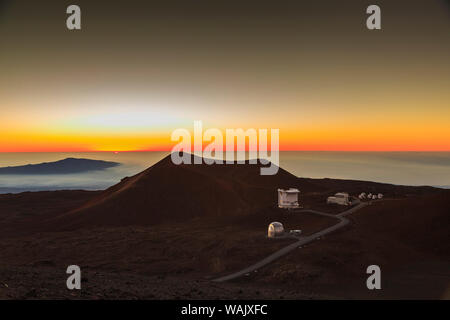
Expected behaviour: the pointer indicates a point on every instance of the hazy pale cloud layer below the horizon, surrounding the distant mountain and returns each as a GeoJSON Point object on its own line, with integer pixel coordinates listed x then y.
{"type": "Point", "coordinates": [406, 168]}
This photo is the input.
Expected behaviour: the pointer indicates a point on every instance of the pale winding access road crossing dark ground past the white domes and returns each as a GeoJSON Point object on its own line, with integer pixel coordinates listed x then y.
{"type": "Point", "coordinates": [302, 241]}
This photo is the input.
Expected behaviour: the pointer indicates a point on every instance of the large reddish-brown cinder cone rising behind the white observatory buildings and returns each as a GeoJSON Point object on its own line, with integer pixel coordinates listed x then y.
{"type": "Point", "coordinates": [168, 192]}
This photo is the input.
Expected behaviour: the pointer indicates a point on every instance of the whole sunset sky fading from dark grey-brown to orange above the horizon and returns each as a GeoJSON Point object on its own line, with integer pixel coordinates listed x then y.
{"type": "Point", "coordinates": [140, 69]}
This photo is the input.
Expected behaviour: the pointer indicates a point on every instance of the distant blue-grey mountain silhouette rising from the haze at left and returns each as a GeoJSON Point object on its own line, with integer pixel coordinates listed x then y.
{"type": "Point", "coordinates": [66, 166]}
